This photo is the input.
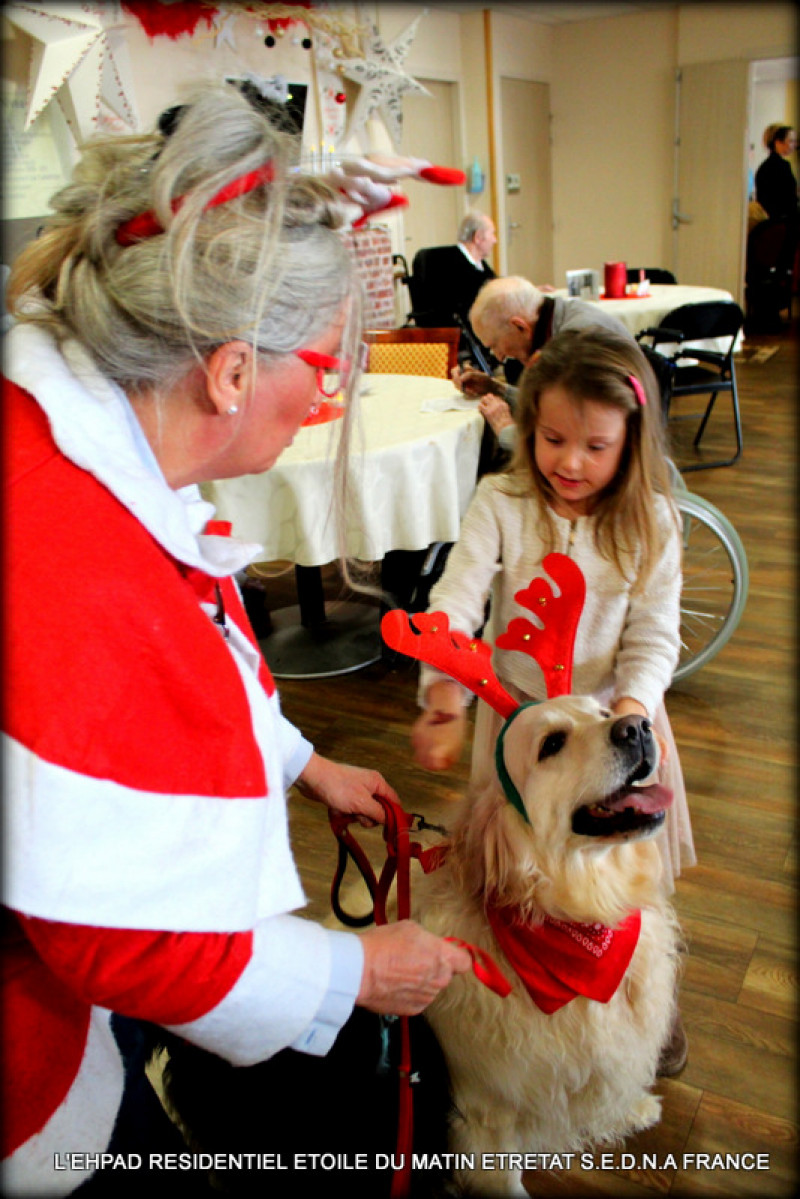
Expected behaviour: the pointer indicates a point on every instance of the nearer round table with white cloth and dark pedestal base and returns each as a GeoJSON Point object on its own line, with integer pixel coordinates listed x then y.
{"type": "Point", "coordinates": [413, 468]}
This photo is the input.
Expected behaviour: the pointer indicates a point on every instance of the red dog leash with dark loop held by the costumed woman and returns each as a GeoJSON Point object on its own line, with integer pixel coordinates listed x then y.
{"type": "Point", "coordinates": [400, 851]}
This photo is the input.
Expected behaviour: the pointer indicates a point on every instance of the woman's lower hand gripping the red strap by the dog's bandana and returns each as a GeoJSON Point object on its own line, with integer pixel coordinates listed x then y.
{"type": "Point", "coordinates": [406, 967]}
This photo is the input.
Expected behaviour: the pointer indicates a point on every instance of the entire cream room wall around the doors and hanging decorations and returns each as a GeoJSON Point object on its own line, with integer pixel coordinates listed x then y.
{"type": "Point", "coordinates": [612, 97]}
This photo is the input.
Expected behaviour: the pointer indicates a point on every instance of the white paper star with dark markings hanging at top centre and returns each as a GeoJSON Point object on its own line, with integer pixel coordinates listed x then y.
{"type": "Point", "coordinates": [383, 82]}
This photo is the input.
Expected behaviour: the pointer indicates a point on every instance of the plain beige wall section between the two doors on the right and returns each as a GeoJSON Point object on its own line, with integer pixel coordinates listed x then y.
{"type": "Point", "coordinates": [613, 134]}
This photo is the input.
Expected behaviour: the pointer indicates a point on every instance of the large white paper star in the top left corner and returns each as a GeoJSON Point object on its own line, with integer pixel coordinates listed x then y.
{"type": "Point", "coordinates": [80, 61]}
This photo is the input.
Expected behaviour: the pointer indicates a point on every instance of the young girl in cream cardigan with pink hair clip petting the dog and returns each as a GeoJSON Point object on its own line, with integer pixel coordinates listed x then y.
{"type": "Point", "coordinates": [590, 479]}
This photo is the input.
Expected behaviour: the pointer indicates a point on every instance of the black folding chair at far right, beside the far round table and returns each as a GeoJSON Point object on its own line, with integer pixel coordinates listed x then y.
{"type": "Point", "coordinates": [703, 372]}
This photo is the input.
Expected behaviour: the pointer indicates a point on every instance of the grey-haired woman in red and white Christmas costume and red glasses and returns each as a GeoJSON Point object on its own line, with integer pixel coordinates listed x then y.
{"type": "Point", "coordinates": [173, 323]}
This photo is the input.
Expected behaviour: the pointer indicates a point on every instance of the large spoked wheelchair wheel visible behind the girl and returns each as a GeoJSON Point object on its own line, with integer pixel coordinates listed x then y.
{"type": "Point", "coordinates": [715, 583]}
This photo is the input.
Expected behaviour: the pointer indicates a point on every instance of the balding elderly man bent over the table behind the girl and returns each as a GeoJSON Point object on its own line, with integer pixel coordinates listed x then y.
{"type": "Point", "coordinates": [514, 318]}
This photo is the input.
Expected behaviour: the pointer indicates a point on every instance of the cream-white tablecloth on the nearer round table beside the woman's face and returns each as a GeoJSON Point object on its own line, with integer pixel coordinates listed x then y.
{"type": "Point", "coordinates": [413, 474]}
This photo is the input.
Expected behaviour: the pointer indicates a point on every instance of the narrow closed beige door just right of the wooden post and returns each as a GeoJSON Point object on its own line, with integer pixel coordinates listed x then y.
{"type": "Point", "coordinates": [526, 208]}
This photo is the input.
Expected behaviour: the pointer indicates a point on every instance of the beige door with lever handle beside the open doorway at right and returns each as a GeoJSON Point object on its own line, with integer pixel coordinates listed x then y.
{"type": "Point", "coordinates": [713, 176]}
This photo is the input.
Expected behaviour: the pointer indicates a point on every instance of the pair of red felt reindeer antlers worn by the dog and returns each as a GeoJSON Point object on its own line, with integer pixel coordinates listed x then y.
{"type": "Point", "coordinates": [467, 659]}
